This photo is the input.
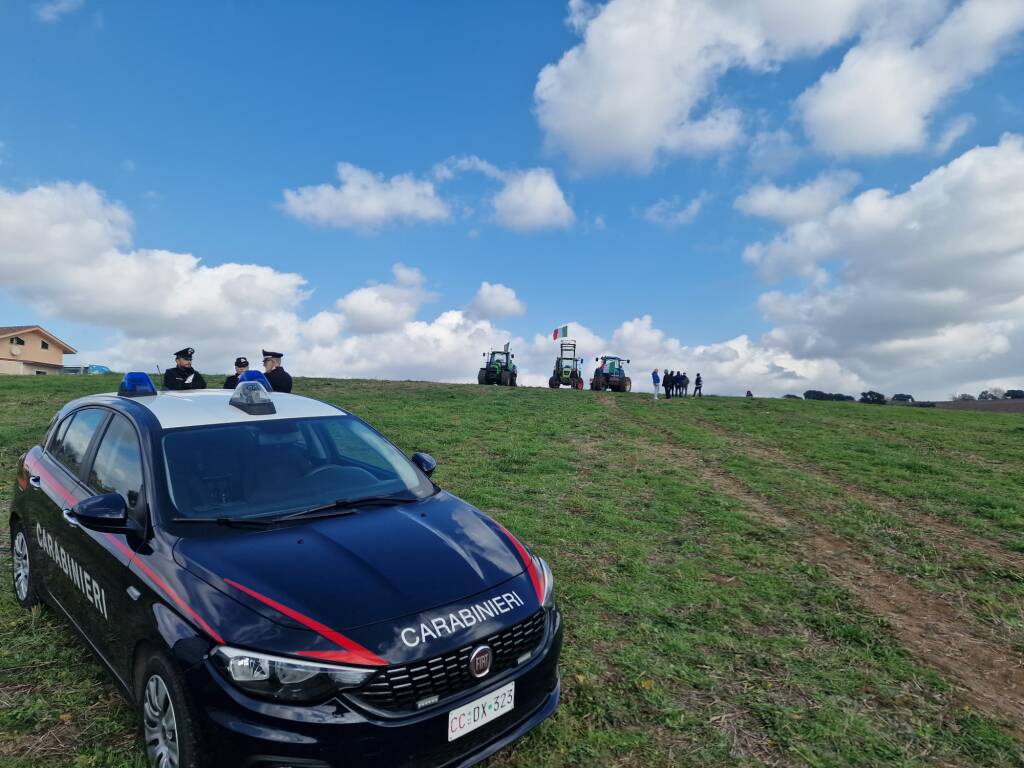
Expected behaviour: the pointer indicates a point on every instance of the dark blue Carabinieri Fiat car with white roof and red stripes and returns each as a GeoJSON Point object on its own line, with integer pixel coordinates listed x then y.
{"type": "Point", "coordinates": [275, 584]}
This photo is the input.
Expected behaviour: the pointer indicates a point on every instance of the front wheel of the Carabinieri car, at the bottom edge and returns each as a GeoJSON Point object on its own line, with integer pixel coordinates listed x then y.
{"type": "Point", "coordinates": [170, 728]}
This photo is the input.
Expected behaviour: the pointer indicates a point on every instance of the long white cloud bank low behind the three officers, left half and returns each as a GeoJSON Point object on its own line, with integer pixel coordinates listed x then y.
{"type": "Point", "coordinates": [156, 302]}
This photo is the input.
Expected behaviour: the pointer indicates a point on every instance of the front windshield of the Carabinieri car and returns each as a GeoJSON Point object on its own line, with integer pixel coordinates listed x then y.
{"type": "Point", "coordinates": [267, 468]}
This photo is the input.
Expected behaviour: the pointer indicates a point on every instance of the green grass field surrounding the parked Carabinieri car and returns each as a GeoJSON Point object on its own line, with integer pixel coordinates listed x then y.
{"type": "Point", "coordinates": [745, 582]}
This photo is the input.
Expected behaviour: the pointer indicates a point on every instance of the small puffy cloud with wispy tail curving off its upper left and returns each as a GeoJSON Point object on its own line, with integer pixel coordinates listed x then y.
{"type": "Point", "coordinates": [529, 201]}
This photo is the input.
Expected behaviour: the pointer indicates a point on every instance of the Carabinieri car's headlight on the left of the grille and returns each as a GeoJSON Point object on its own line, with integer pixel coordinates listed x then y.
{"type": "Point", "coordinates": [283, 679]}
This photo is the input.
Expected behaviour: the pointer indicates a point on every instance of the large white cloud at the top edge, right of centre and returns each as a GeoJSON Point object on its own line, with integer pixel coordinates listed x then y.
{"type": "Point", "coordinates": [642, 84]}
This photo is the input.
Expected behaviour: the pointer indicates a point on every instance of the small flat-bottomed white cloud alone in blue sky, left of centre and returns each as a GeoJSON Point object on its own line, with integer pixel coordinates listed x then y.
{"type": "Point", "coordinates": [367, 201]}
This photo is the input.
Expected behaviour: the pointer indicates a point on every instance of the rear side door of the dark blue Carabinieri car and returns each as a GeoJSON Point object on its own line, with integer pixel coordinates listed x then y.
{"type": "Point", "coordinates": [56, 475]}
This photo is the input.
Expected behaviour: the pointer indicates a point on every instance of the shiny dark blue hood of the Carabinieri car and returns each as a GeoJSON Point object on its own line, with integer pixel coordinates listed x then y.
{"type": "Point", "coordinates": [377, 565]}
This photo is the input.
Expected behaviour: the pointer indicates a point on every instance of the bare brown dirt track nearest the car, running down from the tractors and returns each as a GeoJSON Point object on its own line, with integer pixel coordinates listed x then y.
{"type": "Point", "coordinates": [986, 672]}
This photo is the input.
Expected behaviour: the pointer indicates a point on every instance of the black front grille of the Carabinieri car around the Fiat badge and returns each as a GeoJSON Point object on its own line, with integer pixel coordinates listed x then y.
{"type": "Point", "coordinates": [400, 689]}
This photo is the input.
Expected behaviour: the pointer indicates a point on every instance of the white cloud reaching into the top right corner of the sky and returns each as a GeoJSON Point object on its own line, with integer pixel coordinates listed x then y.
{"type": "Point", "coordinates": [883, 96]}
